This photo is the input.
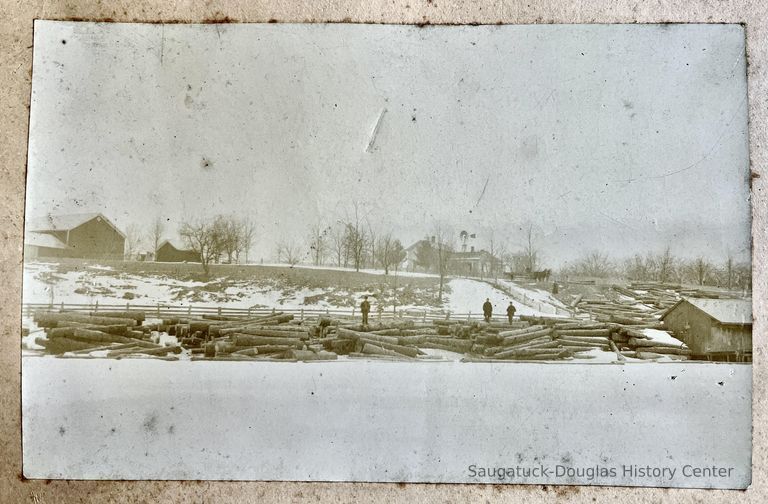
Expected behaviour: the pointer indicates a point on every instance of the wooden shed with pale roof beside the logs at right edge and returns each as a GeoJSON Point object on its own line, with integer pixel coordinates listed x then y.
{"type": "Point", "coordinates": [714, 329]}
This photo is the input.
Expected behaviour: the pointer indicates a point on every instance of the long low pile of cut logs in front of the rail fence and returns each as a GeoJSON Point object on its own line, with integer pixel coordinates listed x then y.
{"type": "Point", "coordinates": [279, 337]}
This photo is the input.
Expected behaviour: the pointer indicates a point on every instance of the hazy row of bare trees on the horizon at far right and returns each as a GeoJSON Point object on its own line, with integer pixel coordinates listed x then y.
{"type": "Point", "coordinates": [663, 267]}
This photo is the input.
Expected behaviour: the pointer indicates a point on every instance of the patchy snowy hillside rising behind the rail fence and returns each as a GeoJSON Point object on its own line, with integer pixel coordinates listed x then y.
{"type": "Point", "coordinates": [259, 287]}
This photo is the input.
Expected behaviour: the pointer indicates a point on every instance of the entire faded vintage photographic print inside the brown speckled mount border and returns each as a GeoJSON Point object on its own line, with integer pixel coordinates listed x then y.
{"type": "Point", "coordinates": [338, 252]}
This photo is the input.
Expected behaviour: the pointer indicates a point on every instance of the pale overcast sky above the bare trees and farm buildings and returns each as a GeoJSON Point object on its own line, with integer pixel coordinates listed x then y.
{"type": "Point", "coordinates": [613, 137]}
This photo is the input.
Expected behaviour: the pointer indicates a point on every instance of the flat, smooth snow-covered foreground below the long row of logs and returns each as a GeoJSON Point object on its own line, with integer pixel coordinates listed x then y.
{"type": "Point", "coordinates": [388, 421]}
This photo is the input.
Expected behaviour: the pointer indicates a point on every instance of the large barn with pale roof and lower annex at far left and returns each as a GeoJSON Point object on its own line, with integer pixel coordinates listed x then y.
{"type": "Point", "coordinates": [89, 235]}
